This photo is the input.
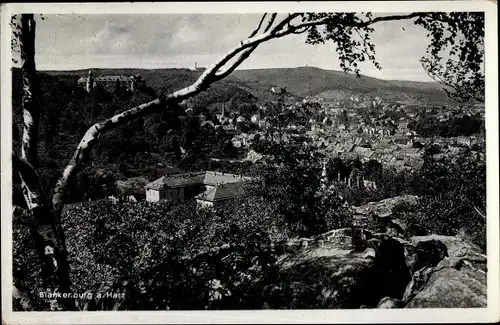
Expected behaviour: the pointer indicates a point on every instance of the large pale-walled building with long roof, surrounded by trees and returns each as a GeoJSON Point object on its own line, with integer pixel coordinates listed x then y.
{"type": "Point", "coordinates": [208, 188]}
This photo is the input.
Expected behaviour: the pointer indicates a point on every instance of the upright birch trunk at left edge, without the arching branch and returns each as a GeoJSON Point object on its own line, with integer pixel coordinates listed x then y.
{"type": "Point", "coordinates": [45, 224]}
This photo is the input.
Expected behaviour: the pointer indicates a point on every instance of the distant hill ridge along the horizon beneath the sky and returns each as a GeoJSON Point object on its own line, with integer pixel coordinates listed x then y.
{"type": "Point", "coordinates": [302, 81]}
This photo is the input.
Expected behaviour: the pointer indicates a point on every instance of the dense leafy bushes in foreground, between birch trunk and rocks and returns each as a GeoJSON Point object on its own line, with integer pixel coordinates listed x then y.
{"type": "Point", "coordinates": [173, 256]}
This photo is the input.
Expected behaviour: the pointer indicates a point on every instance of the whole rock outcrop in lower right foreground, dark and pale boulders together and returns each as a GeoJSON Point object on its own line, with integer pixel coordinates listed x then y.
{"type": "Point", "coordinates": [357, 268]}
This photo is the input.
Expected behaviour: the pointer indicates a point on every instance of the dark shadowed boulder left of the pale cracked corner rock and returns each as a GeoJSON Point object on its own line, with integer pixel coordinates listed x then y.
{"type": "Point", "coordinates": [339, 276]}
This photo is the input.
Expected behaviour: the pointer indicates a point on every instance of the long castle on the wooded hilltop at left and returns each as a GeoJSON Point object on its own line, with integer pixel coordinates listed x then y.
{"type": "Point", "coordinates": [110, 83]}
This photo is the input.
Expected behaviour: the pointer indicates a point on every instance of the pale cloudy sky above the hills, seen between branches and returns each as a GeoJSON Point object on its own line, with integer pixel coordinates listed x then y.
{"type": "Point", "coordinates": [69, 42]}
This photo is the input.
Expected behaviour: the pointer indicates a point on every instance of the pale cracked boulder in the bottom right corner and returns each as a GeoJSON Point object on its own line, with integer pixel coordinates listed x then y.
{"type": "Point", "coordinates": [458, 280]}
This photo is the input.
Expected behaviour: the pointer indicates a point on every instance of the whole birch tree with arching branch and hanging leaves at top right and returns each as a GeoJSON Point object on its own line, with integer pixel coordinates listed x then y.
{"type": "Point", "coordinates": [349, 31]}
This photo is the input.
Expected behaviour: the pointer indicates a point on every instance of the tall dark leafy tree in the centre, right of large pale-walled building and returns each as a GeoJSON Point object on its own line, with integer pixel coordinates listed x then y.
{"type": "Point", "coordinates": [290, 178]}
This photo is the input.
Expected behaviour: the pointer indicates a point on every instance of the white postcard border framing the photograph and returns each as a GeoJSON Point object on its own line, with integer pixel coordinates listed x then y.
{"type": "Point", "coordinates": [490, 314]}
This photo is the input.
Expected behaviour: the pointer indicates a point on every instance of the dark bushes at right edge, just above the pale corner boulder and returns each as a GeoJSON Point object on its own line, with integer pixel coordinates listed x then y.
{"type": "Point", "coordinates": [453, 199]}
